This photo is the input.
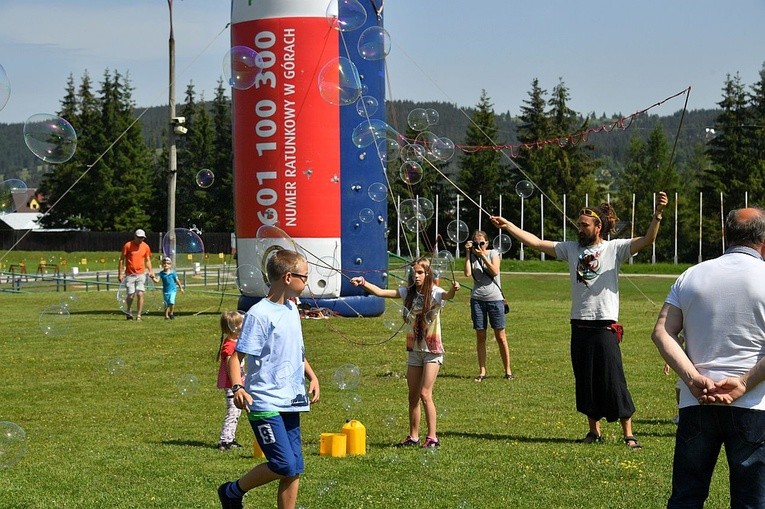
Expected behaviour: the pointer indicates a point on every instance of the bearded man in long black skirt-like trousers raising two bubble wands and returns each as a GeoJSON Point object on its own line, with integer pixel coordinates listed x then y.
{"type": "Point", "coordinates": [596, 359]}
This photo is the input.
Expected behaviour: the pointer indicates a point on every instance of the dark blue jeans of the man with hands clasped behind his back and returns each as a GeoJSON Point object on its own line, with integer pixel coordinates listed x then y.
{"type": "Point", "coordinates": [701, 432]}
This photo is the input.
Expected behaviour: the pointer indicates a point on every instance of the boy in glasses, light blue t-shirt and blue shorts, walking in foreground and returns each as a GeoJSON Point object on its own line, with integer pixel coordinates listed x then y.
{"type": "Point", "coordinates": [273, 391]}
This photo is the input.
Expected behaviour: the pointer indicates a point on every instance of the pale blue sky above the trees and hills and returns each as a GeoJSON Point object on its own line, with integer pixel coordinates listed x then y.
{"type": "Point", "coordinates": [615, 57]}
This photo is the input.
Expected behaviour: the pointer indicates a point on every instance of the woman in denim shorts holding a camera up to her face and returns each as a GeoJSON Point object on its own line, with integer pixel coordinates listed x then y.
{"type": "Point", "coordinates": [487, 303]}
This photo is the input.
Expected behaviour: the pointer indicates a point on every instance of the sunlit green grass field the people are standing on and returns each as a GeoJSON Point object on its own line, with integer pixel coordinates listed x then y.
{"type": "Point", "coordinates": [109, 427]}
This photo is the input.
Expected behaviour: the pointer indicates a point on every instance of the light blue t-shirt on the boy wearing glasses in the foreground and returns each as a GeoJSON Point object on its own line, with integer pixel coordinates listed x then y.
{"type": "Point", "coordinates": [272, 340]}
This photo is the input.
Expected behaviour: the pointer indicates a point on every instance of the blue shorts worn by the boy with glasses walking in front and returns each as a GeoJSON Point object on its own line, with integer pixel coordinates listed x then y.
{"type": "Point", "coordinates": [279, 439]}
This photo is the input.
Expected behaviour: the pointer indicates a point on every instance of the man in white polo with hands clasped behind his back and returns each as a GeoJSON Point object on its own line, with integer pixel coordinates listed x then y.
{"type": "Point", "coordinates": [720, 307]}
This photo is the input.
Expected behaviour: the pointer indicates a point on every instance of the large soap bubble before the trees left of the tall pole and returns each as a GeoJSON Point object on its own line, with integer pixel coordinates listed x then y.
{"type": "Point", "coordinates": [50, 138]}
